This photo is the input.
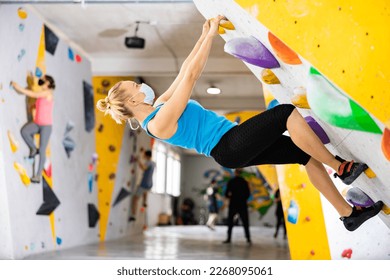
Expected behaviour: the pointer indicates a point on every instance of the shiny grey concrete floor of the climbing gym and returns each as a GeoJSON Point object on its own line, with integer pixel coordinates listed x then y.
{"type": "Point", "coordinates": [182, 242]}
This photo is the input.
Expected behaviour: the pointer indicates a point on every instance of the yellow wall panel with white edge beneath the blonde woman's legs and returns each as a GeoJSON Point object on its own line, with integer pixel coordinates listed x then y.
{"type": "Point", "coordinates": [307, 238]}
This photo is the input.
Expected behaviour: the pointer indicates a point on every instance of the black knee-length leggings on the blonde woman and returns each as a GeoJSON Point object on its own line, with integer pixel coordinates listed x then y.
{"type": "Point", "coordinates": [259, 140]}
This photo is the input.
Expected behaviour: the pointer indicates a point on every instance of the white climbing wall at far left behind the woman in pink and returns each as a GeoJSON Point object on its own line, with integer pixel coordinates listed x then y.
{"type": "Point", "coordinates": [43, 216]}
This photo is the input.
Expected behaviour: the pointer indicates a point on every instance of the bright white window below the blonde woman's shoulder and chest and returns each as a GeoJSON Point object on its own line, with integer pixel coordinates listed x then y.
{"type": "Point", "coordinates": [168, 169]}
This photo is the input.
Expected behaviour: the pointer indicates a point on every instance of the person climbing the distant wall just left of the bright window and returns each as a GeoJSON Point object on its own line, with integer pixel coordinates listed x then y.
{"type": "Point", "coordinates": [146, 183]}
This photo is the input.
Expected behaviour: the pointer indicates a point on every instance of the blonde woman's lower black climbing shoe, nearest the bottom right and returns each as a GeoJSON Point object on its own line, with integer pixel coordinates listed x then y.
{"type": "Point", "coordinates": [359, 216]}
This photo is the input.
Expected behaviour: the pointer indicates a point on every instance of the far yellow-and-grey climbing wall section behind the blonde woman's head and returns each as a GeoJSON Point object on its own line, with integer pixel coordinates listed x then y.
{"type": "Point", "coordinates": [117, 146]}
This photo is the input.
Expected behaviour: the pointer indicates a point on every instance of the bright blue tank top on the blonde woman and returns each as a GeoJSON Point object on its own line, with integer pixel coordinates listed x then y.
{"type": "Point", "coordinates": [198, 128]}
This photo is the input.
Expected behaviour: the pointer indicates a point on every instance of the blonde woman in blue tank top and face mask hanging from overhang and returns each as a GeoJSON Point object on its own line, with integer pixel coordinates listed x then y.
{"type": "Point", "coordinates": [176, 119]}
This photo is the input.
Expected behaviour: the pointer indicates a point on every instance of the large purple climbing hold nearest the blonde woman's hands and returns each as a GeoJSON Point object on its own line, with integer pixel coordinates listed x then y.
{"type": "Point", "coordinates": [252, 51]}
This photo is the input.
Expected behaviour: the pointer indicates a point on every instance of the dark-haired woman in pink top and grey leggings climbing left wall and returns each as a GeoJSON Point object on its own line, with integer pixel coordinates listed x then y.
{"type": "Point", "coordinates": [42, 121]}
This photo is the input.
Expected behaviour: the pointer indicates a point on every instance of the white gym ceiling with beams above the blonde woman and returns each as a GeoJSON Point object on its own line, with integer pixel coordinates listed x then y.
{"type": "Point", "coordinates": [170, 31]}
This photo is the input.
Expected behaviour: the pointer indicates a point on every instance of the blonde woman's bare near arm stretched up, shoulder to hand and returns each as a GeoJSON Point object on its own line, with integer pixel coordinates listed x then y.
{"type": "Point", "coordinates": [164, 124]}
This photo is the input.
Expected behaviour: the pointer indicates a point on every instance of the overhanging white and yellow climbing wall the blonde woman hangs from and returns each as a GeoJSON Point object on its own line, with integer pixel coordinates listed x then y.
{"type": "Point", "coordinates": [327, 59]}
